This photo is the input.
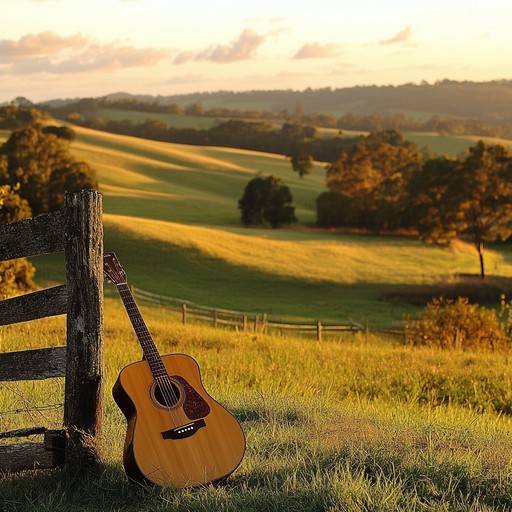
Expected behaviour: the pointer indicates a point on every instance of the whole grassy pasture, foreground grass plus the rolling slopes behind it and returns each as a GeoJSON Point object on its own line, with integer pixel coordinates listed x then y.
{"type": "Point", "coordinates": [355, 423]}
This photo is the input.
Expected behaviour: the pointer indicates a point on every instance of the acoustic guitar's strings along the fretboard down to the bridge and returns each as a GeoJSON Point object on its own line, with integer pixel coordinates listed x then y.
{"type": "Point", "coordinates": [163, 380]}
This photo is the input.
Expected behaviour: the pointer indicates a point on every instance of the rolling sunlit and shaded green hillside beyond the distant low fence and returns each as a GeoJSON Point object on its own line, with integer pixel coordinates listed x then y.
{"type": "Point", "coordinates": [171, 215]}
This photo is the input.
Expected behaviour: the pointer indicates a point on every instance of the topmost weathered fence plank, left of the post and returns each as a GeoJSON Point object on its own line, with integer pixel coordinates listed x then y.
{"type": "Point", "coordinates": [31, 237]}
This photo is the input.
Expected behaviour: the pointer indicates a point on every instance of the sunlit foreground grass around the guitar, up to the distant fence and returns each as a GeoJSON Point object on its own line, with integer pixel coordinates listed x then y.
{"type": "Point", "coordinates": [353, 424]}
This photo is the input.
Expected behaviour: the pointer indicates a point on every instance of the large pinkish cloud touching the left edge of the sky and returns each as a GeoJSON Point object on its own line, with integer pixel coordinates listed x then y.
{"type": "Point", "coordinates": [44, 43]}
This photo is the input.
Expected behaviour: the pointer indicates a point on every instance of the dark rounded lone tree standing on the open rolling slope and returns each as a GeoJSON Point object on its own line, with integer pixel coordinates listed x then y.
{"type": "Point", "coordinates": [267, 200]}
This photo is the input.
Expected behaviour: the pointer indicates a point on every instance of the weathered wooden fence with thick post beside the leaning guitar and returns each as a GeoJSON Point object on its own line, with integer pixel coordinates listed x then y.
{"type": "Point", "coordinates": [77, 230]}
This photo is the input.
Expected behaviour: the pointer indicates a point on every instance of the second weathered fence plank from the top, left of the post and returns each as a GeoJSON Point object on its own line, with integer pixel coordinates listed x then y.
{"type": "Point", "coordinates": [31, 306]}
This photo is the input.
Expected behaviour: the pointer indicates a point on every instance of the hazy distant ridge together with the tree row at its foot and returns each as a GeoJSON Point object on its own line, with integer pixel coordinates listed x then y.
{"type": "Point", "coordinates": [454, 107]}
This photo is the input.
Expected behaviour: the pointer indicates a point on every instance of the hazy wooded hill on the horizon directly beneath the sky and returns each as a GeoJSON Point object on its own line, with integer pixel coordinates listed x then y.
{"type": "Point", "coordinates": [488, 102]}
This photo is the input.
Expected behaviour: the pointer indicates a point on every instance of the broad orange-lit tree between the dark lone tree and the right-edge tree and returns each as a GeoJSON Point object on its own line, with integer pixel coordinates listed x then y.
{"type": "Point", "coordinates": [373, 175]}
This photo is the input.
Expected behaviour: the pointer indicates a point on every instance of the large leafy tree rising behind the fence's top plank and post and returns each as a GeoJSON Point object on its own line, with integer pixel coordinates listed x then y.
{"type": "Point", "coordinates": [35, 160]}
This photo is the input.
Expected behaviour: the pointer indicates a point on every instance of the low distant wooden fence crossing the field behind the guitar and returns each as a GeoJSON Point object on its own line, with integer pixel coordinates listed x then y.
{"type": "Point", "coordinates": [249, 322]}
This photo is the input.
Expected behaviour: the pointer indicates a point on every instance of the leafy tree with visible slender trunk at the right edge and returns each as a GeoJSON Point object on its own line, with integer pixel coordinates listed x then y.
{"type": "Point", "coordinates": [470, 197]}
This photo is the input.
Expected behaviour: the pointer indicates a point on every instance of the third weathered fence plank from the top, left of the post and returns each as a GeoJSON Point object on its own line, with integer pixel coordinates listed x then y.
{"type": "Point", "coordinates": [38, 364]}
